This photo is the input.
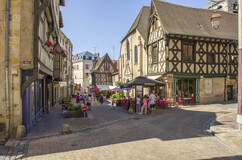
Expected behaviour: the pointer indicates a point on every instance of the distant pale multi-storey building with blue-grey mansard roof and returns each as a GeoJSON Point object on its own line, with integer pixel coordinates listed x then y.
{"type": "Point", "coordinates": [82, 63]}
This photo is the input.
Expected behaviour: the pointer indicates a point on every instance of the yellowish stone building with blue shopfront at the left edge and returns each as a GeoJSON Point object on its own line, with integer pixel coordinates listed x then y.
{"type": "Point", "coordinates": [27, 66]}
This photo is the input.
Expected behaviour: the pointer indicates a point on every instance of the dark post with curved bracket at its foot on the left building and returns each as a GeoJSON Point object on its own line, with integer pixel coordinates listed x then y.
{"type": "Point", "coordinates": [37, 12]}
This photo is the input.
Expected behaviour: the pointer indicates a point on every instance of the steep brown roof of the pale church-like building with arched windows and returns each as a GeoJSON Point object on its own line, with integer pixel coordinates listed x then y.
{"type": "Point", "coordinates": [140, 23]}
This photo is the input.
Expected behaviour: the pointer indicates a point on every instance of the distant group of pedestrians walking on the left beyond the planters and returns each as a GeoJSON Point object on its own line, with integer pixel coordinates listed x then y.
{"type": "Point", "coordinates": [89, 100]}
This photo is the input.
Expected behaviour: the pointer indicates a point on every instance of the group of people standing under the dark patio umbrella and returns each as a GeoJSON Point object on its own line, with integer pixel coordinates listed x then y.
{"type": "Point", "coordinates": [147, 102]}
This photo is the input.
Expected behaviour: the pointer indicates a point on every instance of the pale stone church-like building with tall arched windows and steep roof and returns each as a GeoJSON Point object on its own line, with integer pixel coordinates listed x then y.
{"type": "Point", "coordinates": [133, 57]}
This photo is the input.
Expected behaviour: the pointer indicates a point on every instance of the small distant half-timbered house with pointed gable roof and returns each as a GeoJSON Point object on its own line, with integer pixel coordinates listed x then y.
{"type": "Point", "coordinates": [101, 72]}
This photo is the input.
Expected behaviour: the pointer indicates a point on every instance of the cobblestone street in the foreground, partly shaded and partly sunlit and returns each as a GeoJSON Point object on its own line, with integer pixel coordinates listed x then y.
{"type": "Point", "coordinates": [169, 134]}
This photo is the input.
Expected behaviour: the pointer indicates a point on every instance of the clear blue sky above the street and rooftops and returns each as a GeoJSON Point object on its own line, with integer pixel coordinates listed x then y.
{"type": "Point", "coordinates": [100, 25]}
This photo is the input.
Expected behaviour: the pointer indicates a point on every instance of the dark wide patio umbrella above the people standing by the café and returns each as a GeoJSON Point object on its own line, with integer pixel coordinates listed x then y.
{"type": "Point", "coordinates": [144, 81]}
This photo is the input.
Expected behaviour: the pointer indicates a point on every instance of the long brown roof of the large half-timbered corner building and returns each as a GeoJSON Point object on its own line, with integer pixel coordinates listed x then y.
{"type": "Point", "coordinates": [182, 20]}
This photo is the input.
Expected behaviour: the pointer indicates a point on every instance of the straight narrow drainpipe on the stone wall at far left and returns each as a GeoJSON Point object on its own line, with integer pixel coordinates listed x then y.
{"type": "Point", "coordinates": [7, 69]}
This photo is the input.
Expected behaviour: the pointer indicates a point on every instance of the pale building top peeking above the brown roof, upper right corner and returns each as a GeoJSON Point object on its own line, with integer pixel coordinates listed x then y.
{"type": "Point", "coordinates": [223, 5]}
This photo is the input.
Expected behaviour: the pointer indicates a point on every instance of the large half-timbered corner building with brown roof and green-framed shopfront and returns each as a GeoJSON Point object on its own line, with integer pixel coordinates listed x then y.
{"type": "Point", "coordinates": [192, 57]}
